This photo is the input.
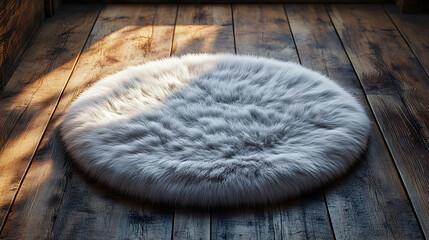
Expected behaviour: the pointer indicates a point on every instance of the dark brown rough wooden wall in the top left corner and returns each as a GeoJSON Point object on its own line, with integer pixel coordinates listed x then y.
{"type": "Point", "coordinates": [19, 21]}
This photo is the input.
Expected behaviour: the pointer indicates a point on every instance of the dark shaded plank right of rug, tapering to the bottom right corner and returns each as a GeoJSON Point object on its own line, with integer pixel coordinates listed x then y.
{"type": "Point", "coordinates": [410, 152]}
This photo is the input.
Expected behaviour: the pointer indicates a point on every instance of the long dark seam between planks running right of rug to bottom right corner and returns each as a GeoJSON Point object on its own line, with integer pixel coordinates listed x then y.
{"type": "Point", "coordinates": [377, 124]}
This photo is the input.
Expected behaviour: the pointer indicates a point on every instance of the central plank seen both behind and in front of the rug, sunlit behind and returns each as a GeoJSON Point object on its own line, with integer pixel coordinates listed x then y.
{"type": "Point", "coordinates": [200, 28]}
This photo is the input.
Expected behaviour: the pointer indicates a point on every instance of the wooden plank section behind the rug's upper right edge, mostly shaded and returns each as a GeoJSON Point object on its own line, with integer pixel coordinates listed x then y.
{"type": "Point", "coordinates": [318, 45]}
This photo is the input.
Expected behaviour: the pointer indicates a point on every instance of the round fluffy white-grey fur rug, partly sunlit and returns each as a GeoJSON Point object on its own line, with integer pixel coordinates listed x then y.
{"type": "Point", "coordinates": [215, 130]}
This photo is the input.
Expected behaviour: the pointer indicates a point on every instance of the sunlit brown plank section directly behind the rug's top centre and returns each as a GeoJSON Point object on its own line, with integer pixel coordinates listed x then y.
{"type": "Point", "coordinates": [203, 28]}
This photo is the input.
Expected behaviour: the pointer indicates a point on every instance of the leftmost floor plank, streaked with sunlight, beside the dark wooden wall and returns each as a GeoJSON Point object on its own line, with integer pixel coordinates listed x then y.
{"type": "Point", "coordinates": [31, 96]}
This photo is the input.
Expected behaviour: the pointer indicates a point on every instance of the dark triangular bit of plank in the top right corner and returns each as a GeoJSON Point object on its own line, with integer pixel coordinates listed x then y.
{"type": "Point", "coordinates": [415, 30]}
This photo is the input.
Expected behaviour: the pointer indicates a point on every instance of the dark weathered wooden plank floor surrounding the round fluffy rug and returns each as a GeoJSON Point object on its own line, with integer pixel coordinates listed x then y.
{"type": "Point", "coordinates": [376, 53]}
